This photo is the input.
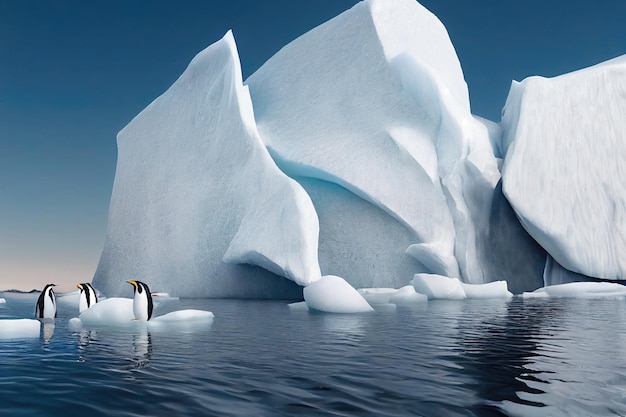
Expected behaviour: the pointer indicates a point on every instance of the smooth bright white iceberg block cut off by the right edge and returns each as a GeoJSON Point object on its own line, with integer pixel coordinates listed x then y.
{"type": "Point", "coordinates": [564, 169]}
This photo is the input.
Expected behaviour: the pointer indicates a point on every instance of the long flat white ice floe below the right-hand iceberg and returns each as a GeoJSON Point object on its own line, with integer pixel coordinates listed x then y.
{"type": "Point", "coordinates": [580, 290]}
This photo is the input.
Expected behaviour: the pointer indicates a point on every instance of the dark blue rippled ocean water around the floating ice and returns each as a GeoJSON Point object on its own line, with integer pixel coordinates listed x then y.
{"type": "Point", "coordinates": [540, 357]}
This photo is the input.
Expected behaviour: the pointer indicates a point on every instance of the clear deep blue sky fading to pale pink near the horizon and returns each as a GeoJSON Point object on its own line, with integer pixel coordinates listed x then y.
{"type": "Point", "coordinates": [73, 73]}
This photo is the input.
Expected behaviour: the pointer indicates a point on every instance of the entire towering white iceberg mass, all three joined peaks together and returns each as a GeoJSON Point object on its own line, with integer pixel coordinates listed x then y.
{"type": "Point", "coordinates": [353, 152]}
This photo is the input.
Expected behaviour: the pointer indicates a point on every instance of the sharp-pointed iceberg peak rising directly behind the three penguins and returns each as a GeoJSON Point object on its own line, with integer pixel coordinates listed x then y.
{"type": "Point", "coordinates": [197, 200]}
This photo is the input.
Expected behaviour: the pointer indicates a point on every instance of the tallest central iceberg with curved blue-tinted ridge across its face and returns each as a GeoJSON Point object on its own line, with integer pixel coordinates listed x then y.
{"type": "Point", "coordinates": [374, 101]}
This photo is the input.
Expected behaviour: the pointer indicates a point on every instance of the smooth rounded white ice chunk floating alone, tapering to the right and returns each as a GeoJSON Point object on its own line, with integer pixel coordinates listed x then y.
{"type": "Point", "coordinates": [333, 294]}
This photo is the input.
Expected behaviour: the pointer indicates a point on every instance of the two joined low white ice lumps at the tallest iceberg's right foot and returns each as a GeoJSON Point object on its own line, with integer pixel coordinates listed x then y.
{"type": "Point", "coordinates": [440, 287]}
